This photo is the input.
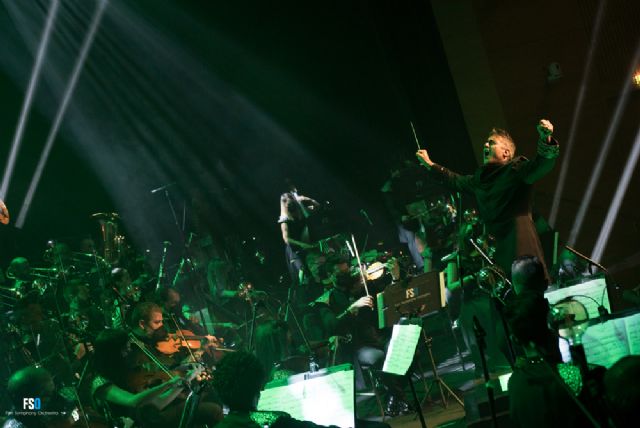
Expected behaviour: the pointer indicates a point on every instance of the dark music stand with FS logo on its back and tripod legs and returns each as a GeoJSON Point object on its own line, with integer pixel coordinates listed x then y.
{"type": "Point", "coordinates": [416, 298]}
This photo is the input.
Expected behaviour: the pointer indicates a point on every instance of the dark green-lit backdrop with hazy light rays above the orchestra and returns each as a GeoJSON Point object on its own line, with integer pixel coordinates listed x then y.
{"type": "Point", "coordinates": [228, 100]}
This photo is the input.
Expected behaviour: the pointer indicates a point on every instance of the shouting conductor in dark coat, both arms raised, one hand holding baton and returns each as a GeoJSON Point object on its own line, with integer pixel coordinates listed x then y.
{"type": "Point", "coordinates": [503, 187]}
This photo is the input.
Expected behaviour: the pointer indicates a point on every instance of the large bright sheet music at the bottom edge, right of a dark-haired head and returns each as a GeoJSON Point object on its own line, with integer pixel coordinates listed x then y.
{"type": "Point", "coordinates": [324, 400]}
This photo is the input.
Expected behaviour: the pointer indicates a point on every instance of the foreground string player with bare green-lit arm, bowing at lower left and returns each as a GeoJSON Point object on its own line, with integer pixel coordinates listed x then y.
{"type": "Point", "coordinates": [157, 403]}
